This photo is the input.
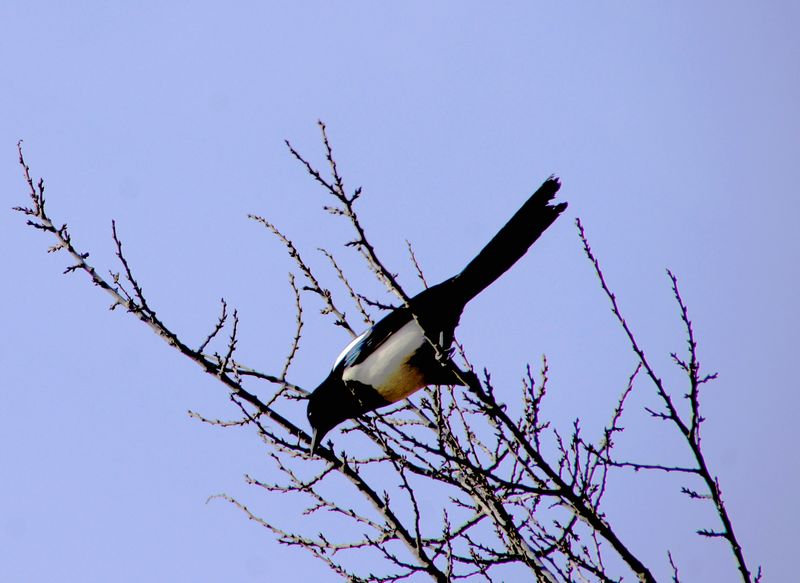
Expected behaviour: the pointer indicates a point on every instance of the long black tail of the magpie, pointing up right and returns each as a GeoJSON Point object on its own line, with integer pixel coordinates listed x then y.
{"type": "Point", "coordinates": [511, 242]}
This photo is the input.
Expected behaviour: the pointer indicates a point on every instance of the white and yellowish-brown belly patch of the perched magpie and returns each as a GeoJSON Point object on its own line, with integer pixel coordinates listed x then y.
{"type": "Point", "coordinates": [387, 369]}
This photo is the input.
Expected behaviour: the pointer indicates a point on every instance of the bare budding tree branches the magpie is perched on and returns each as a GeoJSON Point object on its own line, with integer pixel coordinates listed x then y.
{"type": "Point", "coordinates": [452, 485]}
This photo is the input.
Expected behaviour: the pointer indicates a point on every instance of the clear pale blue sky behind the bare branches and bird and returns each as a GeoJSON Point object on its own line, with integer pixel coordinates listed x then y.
{"type": "Point", "coordinates": [675, 129]}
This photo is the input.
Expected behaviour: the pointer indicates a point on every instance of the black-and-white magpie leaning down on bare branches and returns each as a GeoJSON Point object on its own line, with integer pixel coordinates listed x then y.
{"type": "Point", "coordinates": [396, 356]}
